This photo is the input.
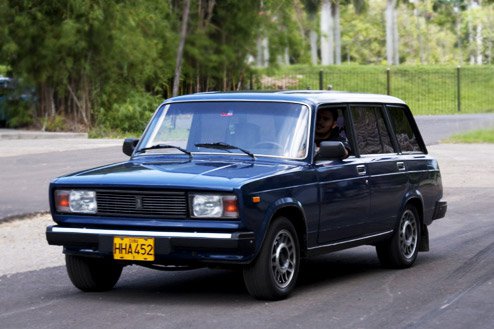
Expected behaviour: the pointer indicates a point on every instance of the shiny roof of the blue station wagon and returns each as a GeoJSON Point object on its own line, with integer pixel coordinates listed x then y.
{"type": "Point", "coordinates": [314, 97]}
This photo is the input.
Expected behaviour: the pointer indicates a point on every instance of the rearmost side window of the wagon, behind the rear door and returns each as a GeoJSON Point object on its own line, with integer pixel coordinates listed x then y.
{"type": "Point", "coordinates": [403, 130]}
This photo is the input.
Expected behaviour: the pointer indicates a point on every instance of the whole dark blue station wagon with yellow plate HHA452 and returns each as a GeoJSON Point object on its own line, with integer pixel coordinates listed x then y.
{"type": "Point", "coordinates": [238, 179]}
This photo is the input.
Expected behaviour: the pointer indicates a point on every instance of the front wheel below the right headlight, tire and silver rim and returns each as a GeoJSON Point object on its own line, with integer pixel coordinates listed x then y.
{"type": "Point", "coordinates": [273, 275]}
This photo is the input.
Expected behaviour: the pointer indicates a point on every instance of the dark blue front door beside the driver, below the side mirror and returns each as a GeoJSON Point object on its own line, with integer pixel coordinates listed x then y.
{"type": "Point", "coordinates": [343, 193]}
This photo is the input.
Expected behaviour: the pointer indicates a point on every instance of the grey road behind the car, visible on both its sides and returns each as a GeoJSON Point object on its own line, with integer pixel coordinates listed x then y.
{"type": "Point", "coordinates": [27, 166]}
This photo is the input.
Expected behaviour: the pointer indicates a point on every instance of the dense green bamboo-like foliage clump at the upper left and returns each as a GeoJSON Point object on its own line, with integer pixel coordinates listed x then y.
{"type": "Point", "coordinates": [84, 54]}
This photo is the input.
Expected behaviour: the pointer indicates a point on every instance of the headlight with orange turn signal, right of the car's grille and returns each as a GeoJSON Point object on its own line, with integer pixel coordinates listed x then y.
{"type": "Point", "coordinates": [214, 206]}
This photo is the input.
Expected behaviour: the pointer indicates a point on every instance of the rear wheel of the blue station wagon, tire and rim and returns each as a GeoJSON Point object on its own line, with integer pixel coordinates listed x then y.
{"type": "Point", "coordinates": [401, 250]}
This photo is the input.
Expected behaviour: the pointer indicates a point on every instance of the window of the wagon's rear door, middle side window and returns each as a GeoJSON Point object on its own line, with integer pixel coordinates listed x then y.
{"type": "Point", "coordinates": [370, 130]}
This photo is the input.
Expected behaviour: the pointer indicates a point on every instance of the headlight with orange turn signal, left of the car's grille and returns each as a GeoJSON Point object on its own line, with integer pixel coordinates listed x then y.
{"type": "Point", "coordinates": [76, 201]}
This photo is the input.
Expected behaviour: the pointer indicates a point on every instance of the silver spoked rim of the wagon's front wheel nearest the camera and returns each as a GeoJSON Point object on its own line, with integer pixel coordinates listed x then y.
{"type": "Point", "coordinates": [283, 258]}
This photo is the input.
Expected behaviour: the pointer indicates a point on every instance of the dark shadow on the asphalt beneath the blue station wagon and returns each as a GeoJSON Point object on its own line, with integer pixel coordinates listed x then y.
{"type": "Point", "coordinates": [204, 285]}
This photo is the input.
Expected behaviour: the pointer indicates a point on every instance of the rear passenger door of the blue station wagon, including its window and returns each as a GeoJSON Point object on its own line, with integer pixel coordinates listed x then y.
{"type": "Point", "coordinates": [386, 169]}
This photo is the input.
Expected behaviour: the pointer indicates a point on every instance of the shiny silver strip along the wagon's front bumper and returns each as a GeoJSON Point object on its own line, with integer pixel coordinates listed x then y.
{"type": "Point", "coordinates": [143, 233]}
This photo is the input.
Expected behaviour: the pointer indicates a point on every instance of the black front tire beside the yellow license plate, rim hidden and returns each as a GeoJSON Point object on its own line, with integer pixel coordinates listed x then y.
{"type": "Point", "coordinates": [90, 274]}
